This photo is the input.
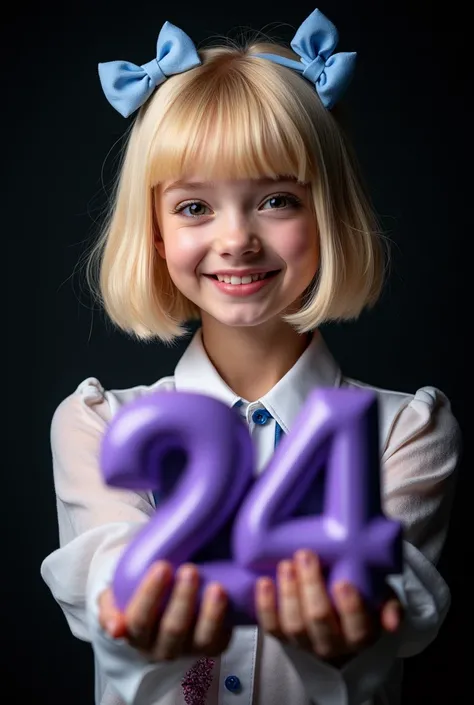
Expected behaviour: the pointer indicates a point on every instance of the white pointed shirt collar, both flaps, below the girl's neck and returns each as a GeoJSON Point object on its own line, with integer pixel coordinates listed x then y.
{"type": "Point", "coordinates": [314, 369]}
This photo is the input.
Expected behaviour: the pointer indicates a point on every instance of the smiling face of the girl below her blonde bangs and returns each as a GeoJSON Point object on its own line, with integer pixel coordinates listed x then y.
{"type": "Point", "coordinates": [243, 251]}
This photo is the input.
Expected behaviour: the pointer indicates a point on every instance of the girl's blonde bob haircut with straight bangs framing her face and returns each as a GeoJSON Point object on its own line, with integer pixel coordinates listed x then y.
{"type": "Point", "coordinates": [235, 116]}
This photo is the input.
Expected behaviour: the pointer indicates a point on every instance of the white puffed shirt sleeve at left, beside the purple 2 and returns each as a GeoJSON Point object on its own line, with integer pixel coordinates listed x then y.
{"type": "Point", "coordinates": [95, 523]}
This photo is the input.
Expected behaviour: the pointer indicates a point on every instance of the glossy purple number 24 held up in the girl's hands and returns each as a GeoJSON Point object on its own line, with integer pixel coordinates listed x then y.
{"type": "Point", "coordinates": [335, 433]}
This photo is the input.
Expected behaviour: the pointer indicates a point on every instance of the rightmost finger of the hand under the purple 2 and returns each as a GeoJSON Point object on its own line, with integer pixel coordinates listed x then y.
{"type": "Point", "coordinates": [208, 632]}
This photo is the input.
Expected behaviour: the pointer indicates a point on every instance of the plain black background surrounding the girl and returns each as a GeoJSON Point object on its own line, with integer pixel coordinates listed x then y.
{"type": "Point", "coordinates": [410, 123]}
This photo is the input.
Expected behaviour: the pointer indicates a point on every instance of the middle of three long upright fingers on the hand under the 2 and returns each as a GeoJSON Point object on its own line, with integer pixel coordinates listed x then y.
{"type": "Point", "coordinates": [178, 616]}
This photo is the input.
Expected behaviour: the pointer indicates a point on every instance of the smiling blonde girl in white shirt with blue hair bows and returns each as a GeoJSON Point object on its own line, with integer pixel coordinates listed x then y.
{"type": "Point", "coordinates": [238, 205]}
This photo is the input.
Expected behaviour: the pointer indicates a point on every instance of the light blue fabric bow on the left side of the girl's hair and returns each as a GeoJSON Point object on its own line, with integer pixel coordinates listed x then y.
{"type": "Point", "coordinates": [127, 86]}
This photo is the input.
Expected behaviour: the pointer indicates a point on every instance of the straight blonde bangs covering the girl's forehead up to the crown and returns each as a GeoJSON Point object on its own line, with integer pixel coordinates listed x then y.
{"type": "Point", "coordinates": [227, 125]}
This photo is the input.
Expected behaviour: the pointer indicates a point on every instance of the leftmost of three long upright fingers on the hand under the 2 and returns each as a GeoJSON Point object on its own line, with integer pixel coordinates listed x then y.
{"type": "Point", "coordinates": [142, 612]}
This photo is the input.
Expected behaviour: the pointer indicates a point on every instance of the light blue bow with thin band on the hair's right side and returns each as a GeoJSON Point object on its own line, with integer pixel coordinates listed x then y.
{"type": "Point", "coordinates": [315, 42]}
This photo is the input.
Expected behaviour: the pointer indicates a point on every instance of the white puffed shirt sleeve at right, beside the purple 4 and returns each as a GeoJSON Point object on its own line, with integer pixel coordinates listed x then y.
{"type": "Point", "coordinates": [419, 462]}
